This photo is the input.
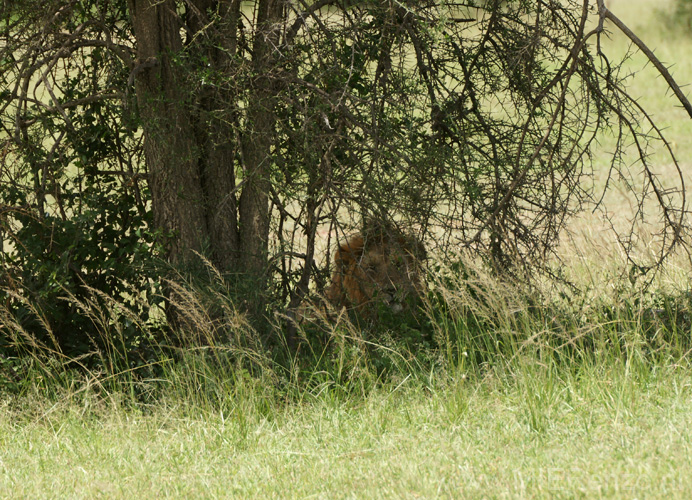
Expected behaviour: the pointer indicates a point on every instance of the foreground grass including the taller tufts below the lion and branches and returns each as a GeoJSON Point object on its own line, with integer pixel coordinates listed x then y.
{"type": "Point", "coordinates": [504, 398]}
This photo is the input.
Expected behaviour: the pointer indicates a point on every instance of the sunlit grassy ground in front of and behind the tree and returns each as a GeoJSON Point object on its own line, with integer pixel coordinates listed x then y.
{"type": "Point", "coordinates": [614, 423]}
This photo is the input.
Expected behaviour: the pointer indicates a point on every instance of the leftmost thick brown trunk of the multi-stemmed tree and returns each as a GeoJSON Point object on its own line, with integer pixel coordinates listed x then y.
{"type": "Point", "coordinates": [170, 148]}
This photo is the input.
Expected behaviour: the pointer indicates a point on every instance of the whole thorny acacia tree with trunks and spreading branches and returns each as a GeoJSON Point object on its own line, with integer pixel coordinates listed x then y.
{"type": "Point", "coordinates": [250, 128]}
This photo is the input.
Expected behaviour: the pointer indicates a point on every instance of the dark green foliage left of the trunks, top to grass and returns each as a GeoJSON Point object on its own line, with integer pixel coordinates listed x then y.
{"type": "Point", "coordinates": [78, 276]}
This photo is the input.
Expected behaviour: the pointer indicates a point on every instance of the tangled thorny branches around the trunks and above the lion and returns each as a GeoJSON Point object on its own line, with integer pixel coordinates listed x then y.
{"type": "Point", "coordinates": [472, 125]}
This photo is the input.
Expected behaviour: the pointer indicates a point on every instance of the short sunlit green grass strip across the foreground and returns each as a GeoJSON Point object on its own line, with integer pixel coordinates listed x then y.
{"type": "Point", "coordinates": [533, 431]}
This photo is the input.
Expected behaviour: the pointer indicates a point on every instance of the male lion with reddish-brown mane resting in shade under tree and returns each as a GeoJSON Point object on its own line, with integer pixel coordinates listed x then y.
{"type": "Point", "coordinates": [381, 266]}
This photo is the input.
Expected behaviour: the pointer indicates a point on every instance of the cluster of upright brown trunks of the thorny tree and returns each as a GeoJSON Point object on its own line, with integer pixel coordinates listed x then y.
{"type": "Point", "coordinates": [192, 154]}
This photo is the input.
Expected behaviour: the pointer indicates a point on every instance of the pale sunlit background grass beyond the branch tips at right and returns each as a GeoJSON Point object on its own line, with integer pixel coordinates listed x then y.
{"type": "Point", "coordinates": [592, 251]}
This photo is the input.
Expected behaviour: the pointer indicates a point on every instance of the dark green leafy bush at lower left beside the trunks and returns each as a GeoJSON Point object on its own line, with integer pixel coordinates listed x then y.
{"type": "Point", "coordinates": [64, 264]}
